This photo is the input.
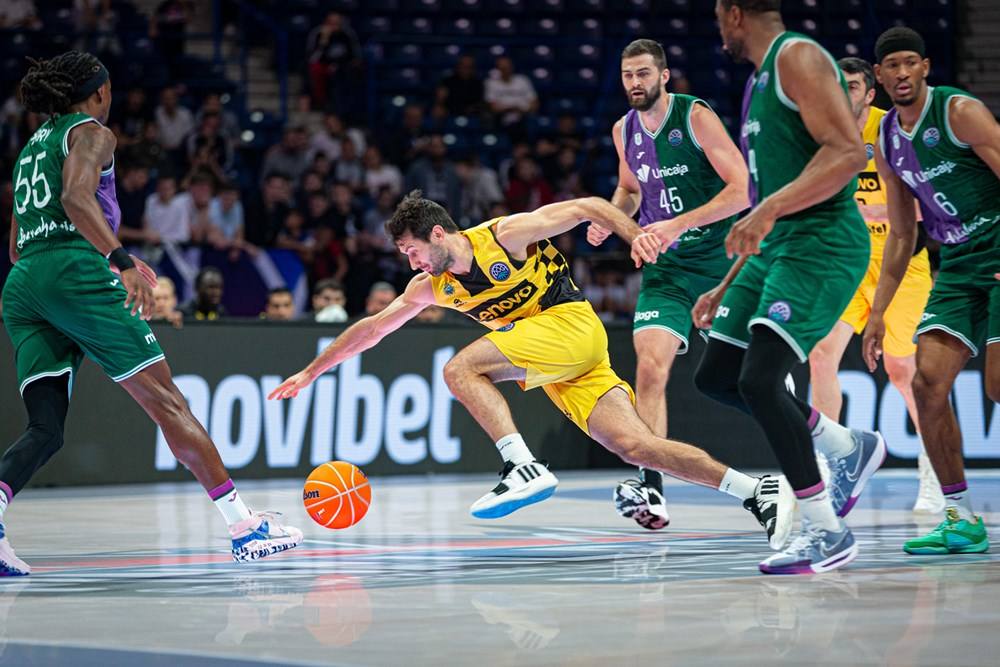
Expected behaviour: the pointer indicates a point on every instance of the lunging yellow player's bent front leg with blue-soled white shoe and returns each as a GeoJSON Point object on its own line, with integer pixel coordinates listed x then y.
{"type": "Point", "coordinates": [470, 375]}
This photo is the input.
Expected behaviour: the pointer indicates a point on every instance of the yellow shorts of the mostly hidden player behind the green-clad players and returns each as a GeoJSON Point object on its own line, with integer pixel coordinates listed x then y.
{"type": "Point", "coordinates": [903, 314]}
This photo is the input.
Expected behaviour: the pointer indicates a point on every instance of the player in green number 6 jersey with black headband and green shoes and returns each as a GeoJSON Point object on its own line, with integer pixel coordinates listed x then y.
{"type": "Point", "coordinates": [940, 146]}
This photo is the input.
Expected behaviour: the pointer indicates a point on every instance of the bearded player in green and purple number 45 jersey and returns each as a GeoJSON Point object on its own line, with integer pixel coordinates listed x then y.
{"type": "Point", "coordinates": [679, 169]}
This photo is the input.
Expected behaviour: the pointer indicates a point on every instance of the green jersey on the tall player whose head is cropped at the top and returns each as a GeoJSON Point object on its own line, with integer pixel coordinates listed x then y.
{"type": "Point", "coordinates": [777, 146]}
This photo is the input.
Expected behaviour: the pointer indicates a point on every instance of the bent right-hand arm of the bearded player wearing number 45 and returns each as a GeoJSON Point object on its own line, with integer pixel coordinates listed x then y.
{"type": "Point", "coordinates": [728, 163]}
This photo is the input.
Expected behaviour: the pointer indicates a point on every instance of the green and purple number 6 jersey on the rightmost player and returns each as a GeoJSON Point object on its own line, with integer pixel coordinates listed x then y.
{"type": "Point", "coordinates": [958, 192]}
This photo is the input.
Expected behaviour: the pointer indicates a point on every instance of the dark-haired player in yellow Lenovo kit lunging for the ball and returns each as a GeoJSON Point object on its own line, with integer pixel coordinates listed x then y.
{"type": "Point", "coordinates": [505, 274]}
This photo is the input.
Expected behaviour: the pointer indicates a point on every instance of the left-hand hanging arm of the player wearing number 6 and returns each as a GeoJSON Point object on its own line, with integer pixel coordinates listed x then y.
{"type": "Point", "coordinates": [900, 206]}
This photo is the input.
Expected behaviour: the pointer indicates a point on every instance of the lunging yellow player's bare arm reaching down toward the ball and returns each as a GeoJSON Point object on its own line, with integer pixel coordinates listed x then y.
{"type": "Point", "coordinates": [362, 335]}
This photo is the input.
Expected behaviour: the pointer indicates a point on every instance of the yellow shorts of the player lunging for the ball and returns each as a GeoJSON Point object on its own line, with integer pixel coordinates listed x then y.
{"type": "Point", "coordinates": [563, 350]}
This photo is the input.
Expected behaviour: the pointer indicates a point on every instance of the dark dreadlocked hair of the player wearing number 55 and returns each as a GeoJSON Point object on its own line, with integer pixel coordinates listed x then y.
{"type": "Point", "coordinates": [49, 85]}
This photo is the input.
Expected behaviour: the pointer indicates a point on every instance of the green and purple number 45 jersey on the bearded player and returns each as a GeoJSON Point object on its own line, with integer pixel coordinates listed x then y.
{"type": "Point", "coordinates": [674, 174]}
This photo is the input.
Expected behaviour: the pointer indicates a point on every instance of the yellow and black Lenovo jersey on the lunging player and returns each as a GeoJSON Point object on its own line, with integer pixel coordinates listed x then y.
{"type": "Point", "coordinates": [500, 290]}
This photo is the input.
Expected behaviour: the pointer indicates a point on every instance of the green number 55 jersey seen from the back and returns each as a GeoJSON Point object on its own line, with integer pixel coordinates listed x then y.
{"type": "Point", "coordinates": [42, 222]}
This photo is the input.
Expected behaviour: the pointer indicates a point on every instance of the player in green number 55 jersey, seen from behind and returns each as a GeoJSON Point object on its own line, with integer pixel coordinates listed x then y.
{"type": "Point", "coordinates": [62, 301]}
